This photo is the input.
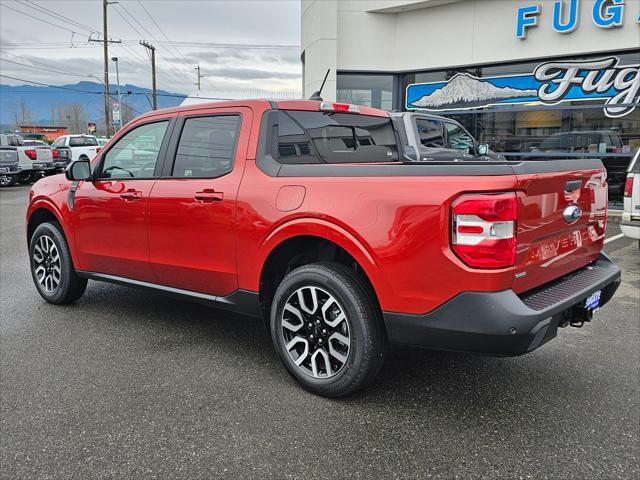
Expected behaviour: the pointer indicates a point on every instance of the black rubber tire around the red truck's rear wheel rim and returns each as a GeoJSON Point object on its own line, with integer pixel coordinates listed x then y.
{"type": "Point", "coordinates": [367, 348]}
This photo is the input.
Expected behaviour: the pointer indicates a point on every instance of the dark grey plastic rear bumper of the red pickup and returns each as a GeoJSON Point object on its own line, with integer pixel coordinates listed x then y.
{"type": "Point", "coordinates": [504, 323]}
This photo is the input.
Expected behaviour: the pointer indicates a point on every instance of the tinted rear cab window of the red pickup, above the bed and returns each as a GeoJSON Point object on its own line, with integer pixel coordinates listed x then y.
{"type": "Point", "coordinates": [328, 137]}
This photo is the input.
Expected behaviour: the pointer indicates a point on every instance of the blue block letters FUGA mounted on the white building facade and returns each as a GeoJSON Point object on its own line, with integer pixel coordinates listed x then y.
{"type": "Point", "coordinates": [604, 14]}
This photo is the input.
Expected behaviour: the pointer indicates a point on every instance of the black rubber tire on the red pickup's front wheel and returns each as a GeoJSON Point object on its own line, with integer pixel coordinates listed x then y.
{"type": "Point", "coordinates": [70, 287]}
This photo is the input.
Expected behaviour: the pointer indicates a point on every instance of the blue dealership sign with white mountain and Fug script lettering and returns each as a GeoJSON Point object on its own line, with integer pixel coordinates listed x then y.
{"type": "Point", "coordinates": [618, 86]}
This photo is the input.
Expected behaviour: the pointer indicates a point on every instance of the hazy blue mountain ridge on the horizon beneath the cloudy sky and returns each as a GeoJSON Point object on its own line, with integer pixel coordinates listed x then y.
{"type": "Point", "coordinates": [38, 100]}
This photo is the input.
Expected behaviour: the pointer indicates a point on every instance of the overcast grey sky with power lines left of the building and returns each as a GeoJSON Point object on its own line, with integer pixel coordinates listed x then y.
{"type": "Point", "coordinates": [239, 44]}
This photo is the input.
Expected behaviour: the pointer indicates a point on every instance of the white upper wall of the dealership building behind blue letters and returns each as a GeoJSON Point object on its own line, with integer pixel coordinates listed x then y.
{"type": "Point", "coordinates": [388, 35]}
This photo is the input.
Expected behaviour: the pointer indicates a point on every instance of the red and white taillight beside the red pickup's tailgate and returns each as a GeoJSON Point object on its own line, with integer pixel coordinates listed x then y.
{"type": "Point", "coordinates": [484, 229]}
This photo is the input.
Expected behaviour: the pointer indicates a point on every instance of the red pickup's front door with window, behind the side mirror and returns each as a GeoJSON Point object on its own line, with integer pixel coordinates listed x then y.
{"type": "Point", "coordinates": [110, 213]}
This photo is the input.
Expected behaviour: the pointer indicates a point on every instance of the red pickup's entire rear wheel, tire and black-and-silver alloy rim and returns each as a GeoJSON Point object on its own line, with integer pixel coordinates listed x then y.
{"type": "Point", "coordinates": [327, 329]}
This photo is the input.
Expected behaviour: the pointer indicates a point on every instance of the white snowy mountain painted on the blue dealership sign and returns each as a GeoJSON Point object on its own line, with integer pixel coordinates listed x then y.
{"type": "Point", "coordinates": [465, 89]}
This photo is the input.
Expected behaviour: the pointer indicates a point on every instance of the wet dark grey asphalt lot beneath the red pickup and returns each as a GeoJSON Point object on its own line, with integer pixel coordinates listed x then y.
{"type": "Point", "coordinates": [131, 384]}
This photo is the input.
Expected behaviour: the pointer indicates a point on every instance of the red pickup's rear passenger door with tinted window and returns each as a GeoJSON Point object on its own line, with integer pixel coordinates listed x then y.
{"type": "Point", "coordinates": [192, 207]}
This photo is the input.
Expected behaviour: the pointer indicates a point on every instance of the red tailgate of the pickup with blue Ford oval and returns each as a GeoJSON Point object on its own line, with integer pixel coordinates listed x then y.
{"type": "Point", "coordinates": [561, 219]}
